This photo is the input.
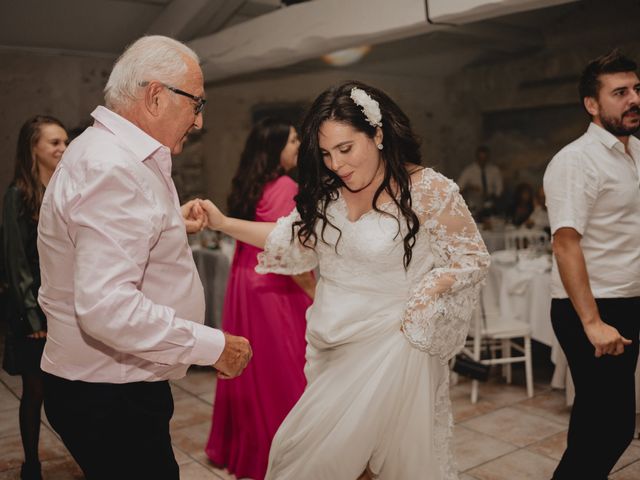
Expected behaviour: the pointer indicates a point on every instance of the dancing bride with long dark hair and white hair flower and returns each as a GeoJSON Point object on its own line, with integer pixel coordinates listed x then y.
{"type": "Point", "coordinates": [401, 262]}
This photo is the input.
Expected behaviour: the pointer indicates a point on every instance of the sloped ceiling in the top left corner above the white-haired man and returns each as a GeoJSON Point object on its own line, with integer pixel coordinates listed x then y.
{"type": "Point", "coordinates": [105, 27]}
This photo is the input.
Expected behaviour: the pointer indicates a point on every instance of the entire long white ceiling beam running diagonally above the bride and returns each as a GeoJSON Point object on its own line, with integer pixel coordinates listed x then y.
{"type": "Point", "coordinates": [308, 30]}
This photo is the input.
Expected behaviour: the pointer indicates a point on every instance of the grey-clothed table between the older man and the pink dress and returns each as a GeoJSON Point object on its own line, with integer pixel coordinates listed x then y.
{"type": "Point", "coordinates": [213, 268]}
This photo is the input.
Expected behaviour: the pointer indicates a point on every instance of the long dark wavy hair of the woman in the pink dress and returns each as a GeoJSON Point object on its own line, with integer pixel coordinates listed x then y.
{"type": "Point", "coordinates": [259, 164]}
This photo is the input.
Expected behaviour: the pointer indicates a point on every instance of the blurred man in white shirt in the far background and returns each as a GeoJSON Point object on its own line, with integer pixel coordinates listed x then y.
{"type": "Point", "coordinates": [481, 183]}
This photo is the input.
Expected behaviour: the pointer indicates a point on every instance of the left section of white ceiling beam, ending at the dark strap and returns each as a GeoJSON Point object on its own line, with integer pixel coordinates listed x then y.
{"type": "Point", "coordinates": [307, 30]}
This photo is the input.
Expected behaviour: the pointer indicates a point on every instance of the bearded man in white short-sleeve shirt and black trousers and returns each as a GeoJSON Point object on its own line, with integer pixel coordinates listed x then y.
{"type": "Point", "coordinates": [593, 200]}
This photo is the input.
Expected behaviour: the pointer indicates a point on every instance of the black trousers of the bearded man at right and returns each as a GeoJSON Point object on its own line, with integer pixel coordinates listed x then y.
{"type": "Point", "coordinates": [603, 414]}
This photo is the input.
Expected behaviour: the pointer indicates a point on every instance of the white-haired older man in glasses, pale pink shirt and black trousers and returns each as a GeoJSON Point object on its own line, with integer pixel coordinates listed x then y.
{"type": "Point", "coordinates": [123, 300]}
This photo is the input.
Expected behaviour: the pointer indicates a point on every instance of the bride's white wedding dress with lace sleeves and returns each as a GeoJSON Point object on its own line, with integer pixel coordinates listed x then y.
{"type": "Point", "coordinates": [379, 339]}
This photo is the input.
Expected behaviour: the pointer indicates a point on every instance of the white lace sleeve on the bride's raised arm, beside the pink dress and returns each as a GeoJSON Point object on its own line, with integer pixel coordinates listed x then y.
{"type": "Point", "coordinates": [283, 254]}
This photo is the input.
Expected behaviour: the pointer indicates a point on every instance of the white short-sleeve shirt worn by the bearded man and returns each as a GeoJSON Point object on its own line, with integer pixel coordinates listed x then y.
{"type": "Point", "coordinates": [593, 186]}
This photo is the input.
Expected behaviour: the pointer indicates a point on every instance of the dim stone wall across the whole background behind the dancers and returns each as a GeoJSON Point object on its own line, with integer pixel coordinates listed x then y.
{"type": "Point", "coordinates": [524, 107]}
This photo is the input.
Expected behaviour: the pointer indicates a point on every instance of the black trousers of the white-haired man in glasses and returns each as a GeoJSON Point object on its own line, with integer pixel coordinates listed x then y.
{"type": "Point", "coordinates": [114, 431]}
